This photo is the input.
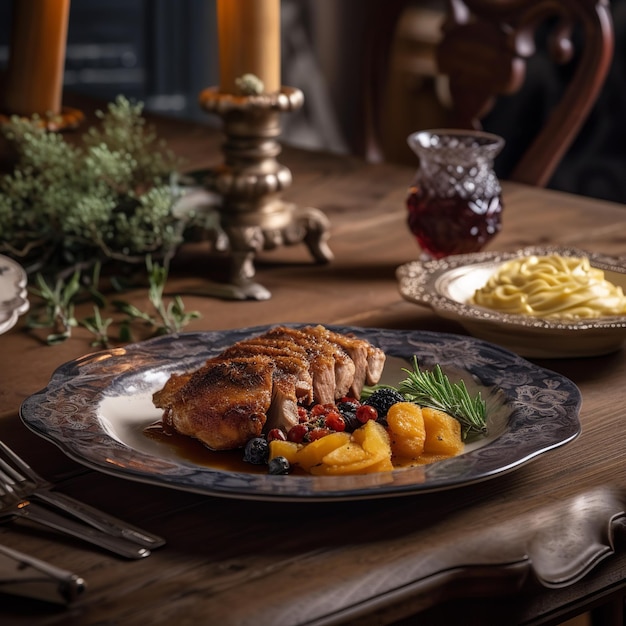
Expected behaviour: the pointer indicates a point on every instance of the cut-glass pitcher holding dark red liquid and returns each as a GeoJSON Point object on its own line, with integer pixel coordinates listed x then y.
{"type": "Point", "coordinates": [455, 200]}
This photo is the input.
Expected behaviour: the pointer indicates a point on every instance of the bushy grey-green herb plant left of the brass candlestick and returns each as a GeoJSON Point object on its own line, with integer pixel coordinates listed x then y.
{"type": "Point", "coordinates": [68, 204]}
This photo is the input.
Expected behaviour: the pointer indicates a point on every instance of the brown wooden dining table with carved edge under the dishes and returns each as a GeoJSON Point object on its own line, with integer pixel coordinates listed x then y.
{"type": "Point", "coordinates": [236, 562]}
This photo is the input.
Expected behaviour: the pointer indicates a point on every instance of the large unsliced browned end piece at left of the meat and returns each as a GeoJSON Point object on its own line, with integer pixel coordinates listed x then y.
{"type": "Point", "coordinates": [223, 404]}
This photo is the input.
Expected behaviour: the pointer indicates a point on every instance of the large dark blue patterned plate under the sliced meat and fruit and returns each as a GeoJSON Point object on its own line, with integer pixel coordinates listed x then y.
{"type": "Point", "coordinates": [96, 410]}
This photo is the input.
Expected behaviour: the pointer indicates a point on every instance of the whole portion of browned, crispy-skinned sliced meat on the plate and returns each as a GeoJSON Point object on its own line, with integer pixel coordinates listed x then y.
{"type": "Point", "coordinates": [258, 383]}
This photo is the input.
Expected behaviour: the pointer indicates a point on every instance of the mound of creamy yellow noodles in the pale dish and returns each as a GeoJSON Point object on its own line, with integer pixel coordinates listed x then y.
{"type": "Point", "coordinates": [551, 287]}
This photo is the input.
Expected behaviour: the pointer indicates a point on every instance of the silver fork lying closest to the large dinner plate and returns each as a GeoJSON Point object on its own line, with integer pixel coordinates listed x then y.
{"type": "Point", "coordinates": [22, 481]}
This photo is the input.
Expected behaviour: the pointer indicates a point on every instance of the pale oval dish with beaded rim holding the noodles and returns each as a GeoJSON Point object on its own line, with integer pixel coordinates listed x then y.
{"type": "Point", "coordinates": [446, 285]}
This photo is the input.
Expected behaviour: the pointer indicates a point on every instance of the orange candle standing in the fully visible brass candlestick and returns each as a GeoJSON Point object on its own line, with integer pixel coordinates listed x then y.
{"type": "Point", "coordinates": [249, 42]}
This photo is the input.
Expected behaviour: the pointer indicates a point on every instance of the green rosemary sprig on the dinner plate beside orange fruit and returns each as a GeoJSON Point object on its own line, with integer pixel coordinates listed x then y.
{"type": "Point", "coordinates": [433, 389]}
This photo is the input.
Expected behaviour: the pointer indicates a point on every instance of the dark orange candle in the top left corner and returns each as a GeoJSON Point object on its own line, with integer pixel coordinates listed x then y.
{"type": "Point", "coordinates": [34, 78]}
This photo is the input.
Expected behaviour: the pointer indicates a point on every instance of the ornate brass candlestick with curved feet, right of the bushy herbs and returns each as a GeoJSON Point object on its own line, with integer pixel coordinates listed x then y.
{"type": "Point", "coordinates": [252, 214]}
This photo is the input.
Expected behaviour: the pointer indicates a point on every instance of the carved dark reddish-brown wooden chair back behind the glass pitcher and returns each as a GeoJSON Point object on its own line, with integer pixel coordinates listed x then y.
{"type": "Point", "coordinates": [484, 52]}
